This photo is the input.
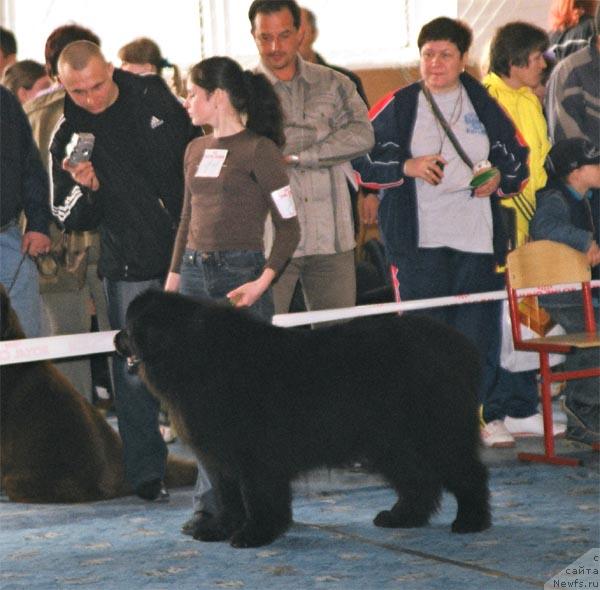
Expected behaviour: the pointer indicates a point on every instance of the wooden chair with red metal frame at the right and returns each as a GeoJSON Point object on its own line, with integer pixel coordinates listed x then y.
{"type": "Point", "coordinates": [543, 264]}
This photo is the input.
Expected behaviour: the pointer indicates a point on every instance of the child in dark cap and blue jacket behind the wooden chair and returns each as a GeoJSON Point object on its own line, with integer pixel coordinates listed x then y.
{"type": "Point", "coordinates": [568, 212]}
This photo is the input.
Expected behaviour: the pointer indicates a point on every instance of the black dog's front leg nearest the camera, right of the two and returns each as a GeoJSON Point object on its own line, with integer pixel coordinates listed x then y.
{"type": "Point", "coordinates": [268, 510]}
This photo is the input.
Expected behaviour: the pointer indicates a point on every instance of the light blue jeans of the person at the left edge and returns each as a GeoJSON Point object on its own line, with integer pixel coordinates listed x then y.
{"type": "Point", "coordinates": [25, 292]}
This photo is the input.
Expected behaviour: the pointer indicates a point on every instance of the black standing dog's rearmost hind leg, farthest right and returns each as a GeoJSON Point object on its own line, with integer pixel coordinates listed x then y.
{"type": "Point", "coordinates": [470, 486]}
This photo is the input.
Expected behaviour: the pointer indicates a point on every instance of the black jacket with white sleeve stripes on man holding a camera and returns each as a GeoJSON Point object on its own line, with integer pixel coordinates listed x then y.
{"type": "Point", "coordinates": [138, 153]}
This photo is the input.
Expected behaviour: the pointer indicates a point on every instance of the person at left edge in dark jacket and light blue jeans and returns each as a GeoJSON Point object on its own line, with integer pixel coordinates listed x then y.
{"type": "Point", "coordinates": [23, 187]}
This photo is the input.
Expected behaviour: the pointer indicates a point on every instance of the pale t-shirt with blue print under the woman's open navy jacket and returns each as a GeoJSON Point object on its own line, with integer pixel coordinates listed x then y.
{"type": "Point", "coordinates": [448, 215]}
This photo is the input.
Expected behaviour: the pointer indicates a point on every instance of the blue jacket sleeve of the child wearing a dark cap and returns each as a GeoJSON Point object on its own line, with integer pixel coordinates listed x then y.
{"type": "Point", "coordinates": [552, 222]}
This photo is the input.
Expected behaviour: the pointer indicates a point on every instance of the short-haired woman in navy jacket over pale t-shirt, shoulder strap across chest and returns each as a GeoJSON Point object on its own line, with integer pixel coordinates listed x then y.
{"type": "Point", "coordinates": [443, 236]}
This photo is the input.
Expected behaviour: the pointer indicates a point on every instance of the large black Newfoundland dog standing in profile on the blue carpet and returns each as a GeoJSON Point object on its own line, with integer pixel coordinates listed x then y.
{"type": "Point", "coordinates": [261, 404]}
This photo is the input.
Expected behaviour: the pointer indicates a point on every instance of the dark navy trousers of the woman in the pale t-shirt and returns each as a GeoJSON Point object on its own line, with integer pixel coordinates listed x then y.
{"type": "Point", "coordinates": [440, 272]}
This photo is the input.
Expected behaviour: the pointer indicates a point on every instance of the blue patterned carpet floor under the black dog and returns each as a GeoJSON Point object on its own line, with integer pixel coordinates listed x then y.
{"type": "Point", "coordinates": [544, 518]}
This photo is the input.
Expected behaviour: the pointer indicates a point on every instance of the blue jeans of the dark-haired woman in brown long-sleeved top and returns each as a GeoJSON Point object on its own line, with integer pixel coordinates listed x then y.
{"type": "Point", "coordinates": [212, 275]}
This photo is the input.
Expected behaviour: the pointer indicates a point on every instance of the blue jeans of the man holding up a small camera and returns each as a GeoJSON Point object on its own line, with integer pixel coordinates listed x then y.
{"type": "Point", "coordinates": [144, 451]}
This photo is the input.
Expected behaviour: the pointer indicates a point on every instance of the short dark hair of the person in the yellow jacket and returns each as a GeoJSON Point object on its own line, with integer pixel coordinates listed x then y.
{"type": "Point", "coordinates": [512, 45]}
